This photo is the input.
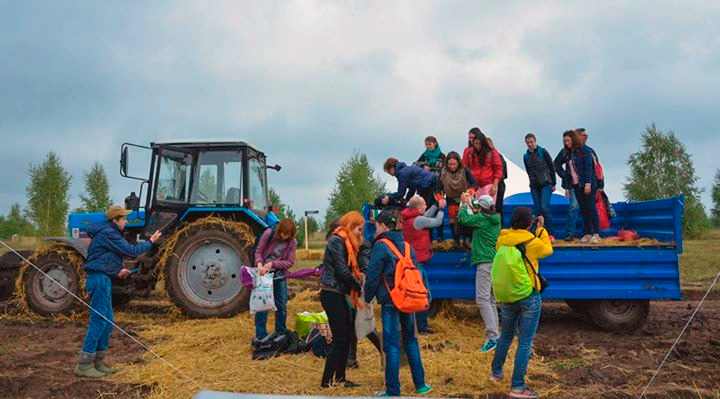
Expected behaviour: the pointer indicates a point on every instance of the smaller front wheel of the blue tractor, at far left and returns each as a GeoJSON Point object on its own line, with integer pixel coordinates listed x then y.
{"type": "Point", "coordinates": [43, 295]}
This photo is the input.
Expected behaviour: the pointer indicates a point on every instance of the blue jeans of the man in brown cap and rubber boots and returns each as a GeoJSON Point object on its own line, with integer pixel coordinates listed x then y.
{"type": "Point", "coordinates": [99, 288]}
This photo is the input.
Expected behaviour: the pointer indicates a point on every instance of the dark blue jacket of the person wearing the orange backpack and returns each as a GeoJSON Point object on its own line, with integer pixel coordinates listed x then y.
{"type": "Point", "coordinates": [382, 267]}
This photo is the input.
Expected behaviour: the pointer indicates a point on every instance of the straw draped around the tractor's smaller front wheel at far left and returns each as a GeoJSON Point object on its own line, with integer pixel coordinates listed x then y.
{"type": "Point", "coordinates": [65, 252]}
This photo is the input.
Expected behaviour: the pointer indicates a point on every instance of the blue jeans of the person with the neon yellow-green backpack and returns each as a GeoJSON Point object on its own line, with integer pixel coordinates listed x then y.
{"type": "Point", "coordinates": [525, 315]}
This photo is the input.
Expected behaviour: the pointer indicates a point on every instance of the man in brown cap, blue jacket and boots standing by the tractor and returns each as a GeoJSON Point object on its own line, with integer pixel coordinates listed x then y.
{"type": "Point", "coordinates": [104, 262]}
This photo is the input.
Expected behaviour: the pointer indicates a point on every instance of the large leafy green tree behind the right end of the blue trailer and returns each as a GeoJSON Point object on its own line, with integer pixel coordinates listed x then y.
{"type": "Point", "coordinates": [663, 168]}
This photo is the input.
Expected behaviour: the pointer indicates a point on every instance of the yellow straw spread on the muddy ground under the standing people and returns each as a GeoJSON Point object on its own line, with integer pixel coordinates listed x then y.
{"type": "Point", "coordinates": [217, 354]}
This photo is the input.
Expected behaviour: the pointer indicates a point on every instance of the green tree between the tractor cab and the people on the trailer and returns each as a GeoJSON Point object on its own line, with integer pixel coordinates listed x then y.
{"type": "Point", "coordinates": [356, 183]}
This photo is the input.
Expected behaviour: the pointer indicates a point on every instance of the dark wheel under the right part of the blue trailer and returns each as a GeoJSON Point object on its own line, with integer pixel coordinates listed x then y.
{"type": "Point", "coordinates": [621, 316]}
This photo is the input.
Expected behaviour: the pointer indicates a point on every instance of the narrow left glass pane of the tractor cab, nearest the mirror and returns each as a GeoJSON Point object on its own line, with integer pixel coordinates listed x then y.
{"type": "Point", "coordinates": [174, 176]}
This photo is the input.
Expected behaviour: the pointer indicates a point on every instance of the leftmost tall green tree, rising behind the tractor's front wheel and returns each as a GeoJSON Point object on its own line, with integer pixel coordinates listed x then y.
{"type": "Point", "coordinates": [48, 196]}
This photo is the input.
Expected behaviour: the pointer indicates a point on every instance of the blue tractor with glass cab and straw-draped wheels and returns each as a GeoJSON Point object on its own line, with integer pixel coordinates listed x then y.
{"type": "Point", "coordinates": [210, 201]}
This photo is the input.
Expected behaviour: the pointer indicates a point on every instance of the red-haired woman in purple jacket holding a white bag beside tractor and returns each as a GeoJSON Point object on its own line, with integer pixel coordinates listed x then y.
{"type": "Point", "coordinates": [276, 253]}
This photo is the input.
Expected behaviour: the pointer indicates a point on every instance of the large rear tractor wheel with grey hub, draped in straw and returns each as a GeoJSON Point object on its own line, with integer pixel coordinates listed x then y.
{"type": "Point", "coordinates": [203, 274]}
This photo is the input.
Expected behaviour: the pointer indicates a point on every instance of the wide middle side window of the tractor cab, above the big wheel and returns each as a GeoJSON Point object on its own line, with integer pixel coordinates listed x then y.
{"type": "Point", "coordinates": [219, 178]}
